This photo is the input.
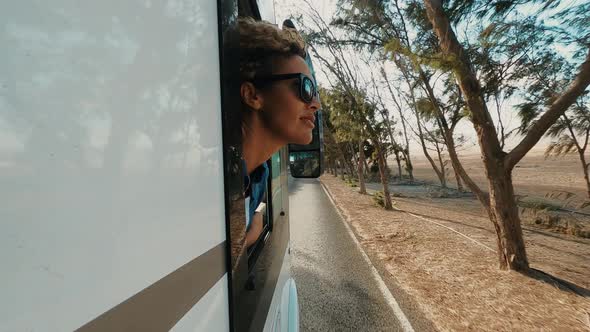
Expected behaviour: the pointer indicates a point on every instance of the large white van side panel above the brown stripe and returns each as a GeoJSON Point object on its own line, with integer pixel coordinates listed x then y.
{"type": "Point", "coordinates": [110, 153]}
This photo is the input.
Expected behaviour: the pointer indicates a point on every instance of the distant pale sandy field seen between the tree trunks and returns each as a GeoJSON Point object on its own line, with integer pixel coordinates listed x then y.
{"type": "Point", "coordinates": [533, 176]}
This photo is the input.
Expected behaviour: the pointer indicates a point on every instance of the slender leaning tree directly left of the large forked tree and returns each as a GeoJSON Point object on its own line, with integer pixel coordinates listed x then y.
{"type": "Point", "coordinates": [377, 24]}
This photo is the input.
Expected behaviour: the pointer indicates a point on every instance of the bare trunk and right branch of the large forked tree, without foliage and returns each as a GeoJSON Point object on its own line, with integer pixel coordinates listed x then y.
{"type": "Point", "coordinates": [500, 201]}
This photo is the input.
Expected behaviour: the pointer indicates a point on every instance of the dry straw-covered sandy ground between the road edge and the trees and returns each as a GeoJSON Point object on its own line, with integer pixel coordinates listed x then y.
{"type": "Point", "coordinates": [455, 277]}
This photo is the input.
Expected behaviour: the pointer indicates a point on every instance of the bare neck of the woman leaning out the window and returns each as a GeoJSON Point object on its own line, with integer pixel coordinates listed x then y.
{"type": "Point", "coordinates": [258, 143]}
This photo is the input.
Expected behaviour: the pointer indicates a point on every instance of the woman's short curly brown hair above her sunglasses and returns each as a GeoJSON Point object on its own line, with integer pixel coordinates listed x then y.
{"type": "Point", "coordinates": [260, 42]}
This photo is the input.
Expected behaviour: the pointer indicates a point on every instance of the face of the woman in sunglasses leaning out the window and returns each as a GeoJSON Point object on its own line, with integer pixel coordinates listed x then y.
{"type": "Point", "coordinates": [284, 114]}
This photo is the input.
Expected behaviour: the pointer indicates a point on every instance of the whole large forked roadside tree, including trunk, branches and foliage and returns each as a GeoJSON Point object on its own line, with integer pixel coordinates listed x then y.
{"type": "Point", "coordinates": [489, 69]}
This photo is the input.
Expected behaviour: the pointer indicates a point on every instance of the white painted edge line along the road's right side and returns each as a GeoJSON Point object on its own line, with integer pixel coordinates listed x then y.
{"type": "Point", "coordinates": [397, 310]}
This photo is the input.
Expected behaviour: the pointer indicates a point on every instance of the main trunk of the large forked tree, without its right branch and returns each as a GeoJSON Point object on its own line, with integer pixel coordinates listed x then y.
{"type": "Point", "coordinates": [502, 205]}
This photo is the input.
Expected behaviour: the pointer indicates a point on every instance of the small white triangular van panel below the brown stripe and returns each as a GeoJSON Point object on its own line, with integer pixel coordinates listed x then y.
{"type": "Point", "coordinates": [210, 314]}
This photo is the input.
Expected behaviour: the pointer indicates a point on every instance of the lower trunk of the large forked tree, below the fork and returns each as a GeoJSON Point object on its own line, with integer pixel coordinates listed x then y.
{"type": "Point", "coordinates": [504, 216]}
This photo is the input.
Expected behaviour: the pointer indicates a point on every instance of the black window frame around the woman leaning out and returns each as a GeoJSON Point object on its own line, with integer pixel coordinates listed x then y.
{"type": "Point", "coordinates": [251, 280]}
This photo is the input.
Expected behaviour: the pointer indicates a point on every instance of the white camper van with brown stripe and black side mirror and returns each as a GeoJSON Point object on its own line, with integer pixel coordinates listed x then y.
{"type": "Point", "coordinates": [121, 195]}
